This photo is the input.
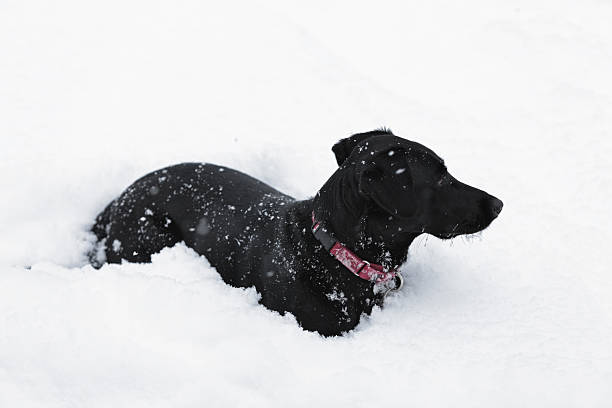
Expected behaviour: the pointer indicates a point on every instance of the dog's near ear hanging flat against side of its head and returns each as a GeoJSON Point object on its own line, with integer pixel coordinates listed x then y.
{"type": "Point", "coordinates": [389, 184]}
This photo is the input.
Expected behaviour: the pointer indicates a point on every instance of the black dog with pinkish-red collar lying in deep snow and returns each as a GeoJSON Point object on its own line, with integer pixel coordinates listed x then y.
{"type": "Point", "coordinates": [298, 254]}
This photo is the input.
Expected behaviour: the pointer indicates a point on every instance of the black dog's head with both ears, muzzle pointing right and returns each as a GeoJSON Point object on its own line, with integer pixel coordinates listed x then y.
{"type": "Point", "coordinates": [407, 183]}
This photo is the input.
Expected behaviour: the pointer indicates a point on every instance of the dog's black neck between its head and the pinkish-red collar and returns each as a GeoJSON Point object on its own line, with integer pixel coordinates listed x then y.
{"type": "Point", "coordinates": [347, 213]}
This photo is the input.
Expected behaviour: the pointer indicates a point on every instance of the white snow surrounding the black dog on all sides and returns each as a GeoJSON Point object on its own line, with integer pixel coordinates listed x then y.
{"type": "Point", "coordinates": [516, 96]}
